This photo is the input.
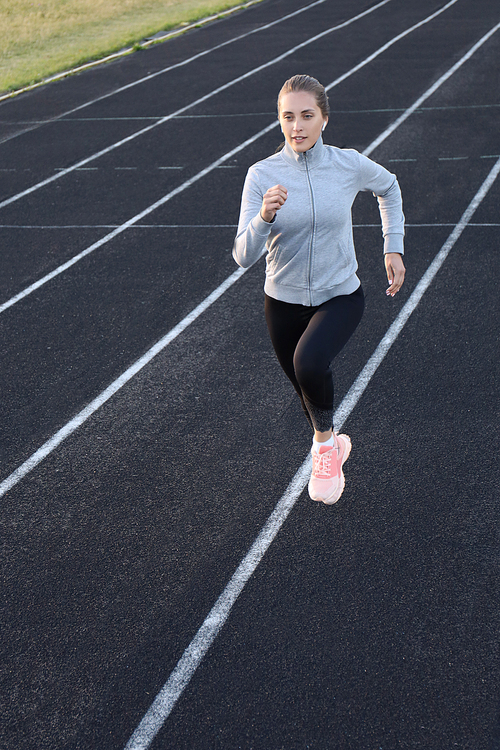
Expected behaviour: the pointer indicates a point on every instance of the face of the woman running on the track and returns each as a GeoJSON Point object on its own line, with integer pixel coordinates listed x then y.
{"type": "Point", "coordinates": [301, 119]}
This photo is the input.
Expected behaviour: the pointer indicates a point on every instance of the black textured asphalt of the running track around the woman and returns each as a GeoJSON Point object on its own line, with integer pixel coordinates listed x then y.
{"type": "Point", "coordinates": [369, 625]}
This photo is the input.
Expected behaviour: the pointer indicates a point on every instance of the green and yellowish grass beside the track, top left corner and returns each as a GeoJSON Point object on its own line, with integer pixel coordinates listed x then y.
{"type": "Point", "coordinates": [44, 37]}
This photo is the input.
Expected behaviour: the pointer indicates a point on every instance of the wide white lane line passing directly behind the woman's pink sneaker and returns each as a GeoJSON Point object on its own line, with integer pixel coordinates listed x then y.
{"type": "Point", "coordinates": [195, 652]}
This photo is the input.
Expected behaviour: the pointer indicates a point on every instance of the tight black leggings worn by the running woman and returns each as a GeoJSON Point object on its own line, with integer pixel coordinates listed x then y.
{"type": "Point", "coordinates": [306, 340]}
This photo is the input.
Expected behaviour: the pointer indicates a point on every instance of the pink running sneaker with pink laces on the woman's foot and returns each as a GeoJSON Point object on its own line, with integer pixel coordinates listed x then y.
{"type": "Point", "coordinates": [327, 479]}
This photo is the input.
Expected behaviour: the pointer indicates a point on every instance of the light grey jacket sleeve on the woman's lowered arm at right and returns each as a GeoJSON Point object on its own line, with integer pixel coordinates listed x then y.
{"type": "Point", "coordinates": [384, 185]}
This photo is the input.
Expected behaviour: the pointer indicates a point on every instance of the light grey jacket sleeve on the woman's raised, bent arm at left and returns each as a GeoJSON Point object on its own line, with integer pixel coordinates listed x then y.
{"type": "Point", "coordinates": [253, 231]}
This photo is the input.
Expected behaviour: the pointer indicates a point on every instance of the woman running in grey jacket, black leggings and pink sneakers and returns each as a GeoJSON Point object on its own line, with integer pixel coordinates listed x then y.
{"type": "Point", "coordinates": [297, 205]}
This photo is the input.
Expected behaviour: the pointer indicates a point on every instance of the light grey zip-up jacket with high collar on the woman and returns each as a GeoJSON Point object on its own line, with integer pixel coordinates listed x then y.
{"type": "Point", "coordinates": [310, 248]}
